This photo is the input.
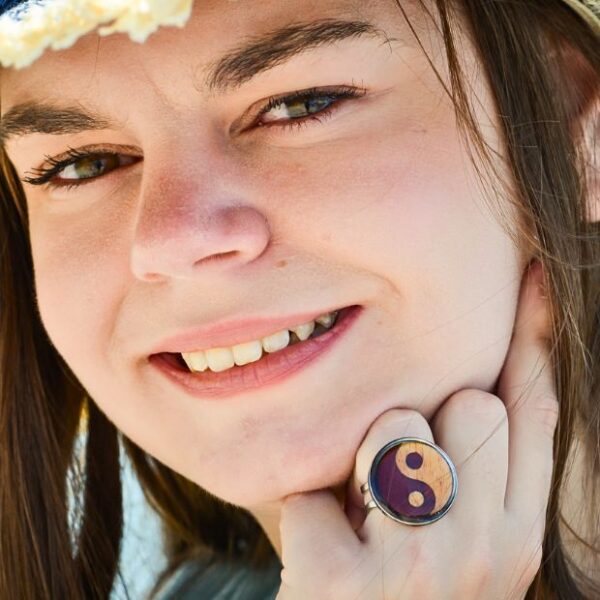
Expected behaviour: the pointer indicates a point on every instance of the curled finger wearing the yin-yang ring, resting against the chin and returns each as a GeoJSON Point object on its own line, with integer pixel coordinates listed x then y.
{"type": "Point", "coordinates": [390, 425]}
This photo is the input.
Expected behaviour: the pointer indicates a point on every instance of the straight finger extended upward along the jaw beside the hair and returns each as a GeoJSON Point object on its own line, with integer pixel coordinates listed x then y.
{"type": "Point", "coordinates": [526, 384]}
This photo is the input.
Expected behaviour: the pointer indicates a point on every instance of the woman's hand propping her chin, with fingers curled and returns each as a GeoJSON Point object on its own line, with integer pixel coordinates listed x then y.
{"type": "Point", "coordinates": [489, 544]}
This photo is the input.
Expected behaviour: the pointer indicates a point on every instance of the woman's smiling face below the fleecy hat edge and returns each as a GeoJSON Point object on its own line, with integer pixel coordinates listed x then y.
{"type": "Point", "coordinates": [211, 212]}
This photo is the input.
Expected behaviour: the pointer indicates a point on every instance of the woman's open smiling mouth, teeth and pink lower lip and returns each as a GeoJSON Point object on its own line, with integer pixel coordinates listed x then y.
{"type": "Point", "coordinates": [215, 372]}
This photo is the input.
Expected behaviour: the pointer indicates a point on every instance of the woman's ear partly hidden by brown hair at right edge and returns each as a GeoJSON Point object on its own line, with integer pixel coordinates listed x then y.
{"type": "Point", "coordinates": [581, 85]}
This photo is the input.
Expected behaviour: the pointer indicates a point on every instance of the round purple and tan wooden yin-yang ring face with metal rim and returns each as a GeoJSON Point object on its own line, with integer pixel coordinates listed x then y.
{"type": "Point", "coordinates": [413, 481]}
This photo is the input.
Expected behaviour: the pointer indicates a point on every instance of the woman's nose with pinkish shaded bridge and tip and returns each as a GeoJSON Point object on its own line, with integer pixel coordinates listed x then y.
{"type": "Point", "coordinates": [185, 230]}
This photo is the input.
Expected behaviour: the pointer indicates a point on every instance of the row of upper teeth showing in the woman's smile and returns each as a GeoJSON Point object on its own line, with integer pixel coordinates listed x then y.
{"type": "Point", "coordinates": [221, 359]}
